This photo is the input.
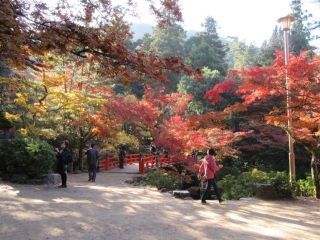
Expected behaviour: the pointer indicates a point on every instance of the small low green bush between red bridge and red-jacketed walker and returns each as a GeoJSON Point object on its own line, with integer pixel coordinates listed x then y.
{"type": "Point", "coordinates": [163, 180]}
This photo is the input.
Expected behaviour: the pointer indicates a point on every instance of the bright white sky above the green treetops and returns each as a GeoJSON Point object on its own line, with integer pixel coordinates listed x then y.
{"type": "Point", "coordinates": [249, 20]}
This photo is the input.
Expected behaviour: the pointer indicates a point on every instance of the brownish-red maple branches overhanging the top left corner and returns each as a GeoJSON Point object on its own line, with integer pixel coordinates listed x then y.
{"type": "Point", "coordinates": [96, 30]}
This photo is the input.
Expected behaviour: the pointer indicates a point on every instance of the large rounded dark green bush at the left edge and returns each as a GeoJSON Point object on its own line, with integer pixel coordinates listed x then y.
{"type": "Point", "coordinates": [30, 156]}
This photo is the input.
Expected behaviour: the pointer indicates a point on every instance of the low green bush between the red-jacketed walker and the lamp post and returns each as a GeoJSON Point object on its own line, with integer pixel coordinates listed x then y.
{"type": "Point", "coordinates": [244, 185]}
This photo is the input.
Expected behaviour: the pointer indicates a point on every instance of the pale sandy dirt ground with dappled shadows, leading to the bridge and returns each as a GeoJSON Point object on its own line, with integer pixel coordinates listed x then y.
{"type": "Point", "coordinates": [112, 209]}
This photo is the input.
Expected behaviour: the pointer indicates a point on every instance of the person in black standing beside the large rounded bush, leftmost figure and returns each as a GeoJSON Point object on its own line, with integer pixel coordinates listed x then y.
{"type": "Point", "coordinates": [64, 157]}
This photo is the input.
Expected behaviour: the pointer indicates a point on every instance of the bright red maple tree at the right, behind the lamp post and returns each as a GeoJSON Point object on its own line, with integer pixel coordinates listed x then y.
{"type": "Point", "coordinates": [260, 85]}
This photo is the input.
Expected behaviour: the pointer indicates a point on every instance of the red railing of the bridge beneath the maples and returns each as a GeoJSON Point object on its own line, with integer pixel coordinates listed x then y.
{"type": "Point", "coordinates": [144, 161]}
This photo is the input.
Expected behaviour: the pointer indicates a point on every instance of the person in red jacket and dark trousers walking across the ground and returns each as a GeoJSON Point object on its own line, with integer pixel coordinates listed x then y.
{"type": "Point", "coordinates": [208, 170]}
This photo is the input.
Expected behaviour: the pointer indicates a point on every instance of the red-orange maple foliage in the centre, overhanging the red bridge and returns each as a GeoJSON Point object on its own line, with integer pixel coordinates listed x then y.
{"type": "Point", "coordinates": [163, 116]}
